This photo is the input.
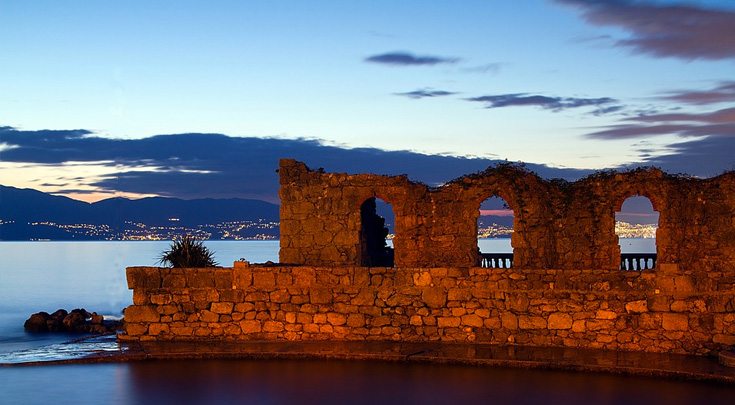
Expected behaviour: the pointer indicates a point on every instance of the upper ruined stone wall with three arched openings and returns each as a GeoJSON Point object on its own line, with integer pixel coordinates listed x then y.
{"type": "Point", "coordinates": [558, 224]}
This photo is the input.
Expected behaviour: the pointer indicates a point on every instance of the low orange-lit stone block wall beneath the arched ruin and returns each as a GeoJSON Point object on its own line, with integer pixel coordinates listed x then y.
{"type": "Point", "coordinates": [662, 311]}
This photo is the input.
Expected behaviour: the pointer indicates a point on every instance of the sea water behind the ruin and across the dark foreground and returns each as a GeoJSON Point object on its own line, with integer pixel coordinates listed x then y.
{"type": "Point", "coordinates": [45, 276]}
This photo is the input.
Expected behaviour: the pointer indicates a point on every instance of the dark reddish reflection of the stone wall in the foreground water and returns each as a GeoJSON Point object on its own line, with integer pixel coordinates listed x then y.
{"type": "Point", "coordinates": [342, 382]}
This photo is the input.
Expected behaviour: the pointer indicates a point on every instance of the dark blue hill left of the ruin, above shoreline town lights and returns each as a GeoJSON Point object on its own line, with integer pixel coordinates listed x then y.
{"type": "Point", "coordinates": [26, 214]}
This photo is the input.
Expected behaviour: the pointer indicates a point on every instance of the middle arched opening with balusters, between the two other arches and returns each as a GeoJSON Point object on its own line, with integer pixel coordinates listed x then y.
{"type": "Point", "coordinates": [494, 230]}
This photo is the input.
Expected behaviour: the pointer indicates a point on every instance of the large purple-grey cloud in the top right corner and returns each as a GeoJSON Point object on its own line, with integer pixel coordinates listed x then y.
{"type": "Point", "coordinates": [670, 30]}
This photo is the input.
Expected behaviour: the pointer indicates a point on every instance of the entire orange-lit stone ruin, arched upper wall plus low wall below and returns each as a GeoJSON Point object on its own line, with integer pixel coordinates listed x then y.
{"type": "Point", "coordinates": [565, 288]}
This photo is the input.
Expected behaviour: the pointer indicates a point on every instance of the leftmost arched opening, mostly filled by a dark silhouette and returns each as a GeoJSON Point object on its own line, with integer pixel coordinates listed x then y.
{"type": "Point", "coordinates": [375, 233]}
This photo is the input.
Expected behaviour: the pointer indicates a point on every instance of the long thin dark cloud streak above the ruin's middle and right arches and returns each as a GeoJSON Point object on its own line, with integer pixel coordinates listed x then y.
{"type": "Point", "coordinates": [555, 104]}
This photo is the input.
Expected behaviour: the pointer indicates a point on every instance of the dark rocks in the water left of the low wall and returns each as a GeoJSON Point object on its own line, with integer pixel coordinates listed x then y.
{"type": "Point", "coordinates": [76, 321]}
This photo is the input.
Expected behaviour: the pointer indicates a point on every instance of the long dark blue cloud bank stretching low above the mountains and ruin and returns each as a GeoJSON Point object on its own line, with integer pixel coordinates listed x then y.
{"type": "Point", "coordinates": [216, 165]}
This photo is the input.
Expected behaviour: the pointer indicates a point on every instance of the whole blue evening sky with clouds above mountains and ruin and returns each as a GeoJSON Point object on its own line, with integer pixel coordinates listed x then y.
{"type": "Point", "coordinates": [101, 99]}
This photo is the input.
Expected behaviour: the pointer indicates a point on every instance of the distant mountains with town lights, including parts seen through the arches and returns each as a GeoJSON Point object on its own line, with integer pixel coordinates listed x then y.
{"type": "Point", "coordinates": [27, 214]}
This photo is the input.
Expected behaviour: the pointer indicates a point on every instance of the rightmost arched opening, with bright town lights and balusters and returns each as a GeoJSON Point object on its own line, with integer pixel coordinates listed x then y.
{"type": "Point", "coordinates": [635, 226]}
